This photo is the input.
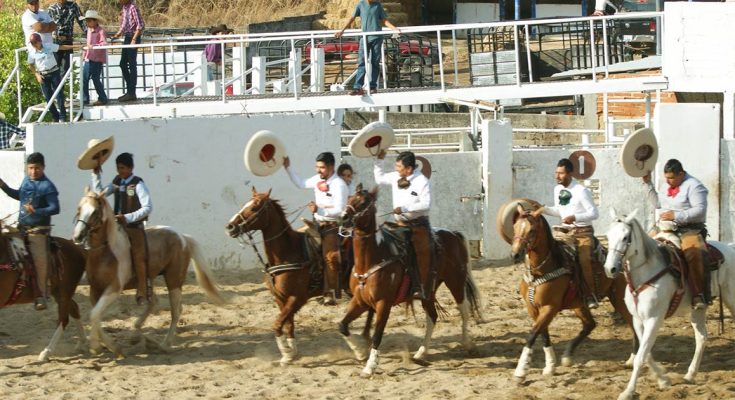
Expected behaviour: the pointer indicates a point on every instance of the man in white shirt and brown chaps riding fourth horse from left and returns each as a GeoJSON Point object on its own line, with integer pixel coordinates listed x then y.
{"type": "Point", "coordinates": [411, 192]}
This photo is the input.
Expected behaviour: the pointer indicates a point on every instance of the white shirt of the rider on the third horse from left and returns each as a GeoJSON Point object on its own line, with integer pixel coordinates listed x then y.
{"type": "Point", "coordinates": [330, 204]}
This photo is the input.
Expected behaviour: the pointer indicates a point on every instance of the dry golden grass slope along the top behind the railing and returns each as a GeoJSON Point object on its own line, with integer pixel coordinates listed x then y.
{"type": "Point", "coordinates": [237, 14]}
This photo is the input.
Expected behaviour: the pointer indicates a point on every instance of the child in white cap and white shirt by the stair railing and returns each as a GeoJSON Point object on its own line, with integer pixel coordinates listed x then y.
{"type": "Point", "coordinates": [42, 62]}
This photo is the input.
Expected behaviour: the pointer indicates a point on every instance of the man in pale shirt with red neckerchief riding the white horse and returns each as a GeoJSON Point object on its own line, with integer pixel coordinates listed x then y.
{"type": "Point", "coordinates": [685, 204]}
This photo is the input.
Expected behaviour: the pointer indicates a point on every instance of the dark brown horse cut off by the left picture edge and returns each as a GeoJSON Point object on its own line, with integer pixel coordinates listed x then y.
{"type": "Point", "coordinates": [69, 261]}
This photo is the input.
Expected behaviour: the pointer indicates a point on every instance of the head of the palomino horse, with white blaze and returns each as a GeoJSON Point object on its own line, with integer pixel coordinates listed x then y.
{"type": "Point", "coordinates": [93, 213]}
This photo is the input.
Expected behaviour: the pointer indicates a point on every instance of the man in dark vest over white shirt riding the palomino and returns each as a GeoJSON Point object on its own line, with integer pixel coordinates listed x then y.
{"type": "Point", "coordinates": [132, 208]}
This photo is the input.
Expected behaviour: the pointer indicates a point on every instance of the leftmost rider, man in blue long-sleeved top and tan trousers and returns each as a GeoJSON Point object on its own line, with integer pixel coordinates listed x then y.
{"type": "Point", "coordinates": [39, 200]}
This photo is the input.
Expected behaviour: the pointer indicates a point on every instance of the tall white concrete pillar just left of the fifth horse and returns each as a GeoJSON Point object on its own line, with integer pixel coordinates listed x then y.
{"type": "Point", "coordinates": [497, 181]}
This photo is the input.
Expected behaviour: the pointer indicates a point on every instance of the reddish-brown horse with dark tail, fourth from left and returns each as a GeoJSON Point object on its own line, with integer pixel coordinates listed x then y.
{"type": "Point", "coordinates": [378, 280]}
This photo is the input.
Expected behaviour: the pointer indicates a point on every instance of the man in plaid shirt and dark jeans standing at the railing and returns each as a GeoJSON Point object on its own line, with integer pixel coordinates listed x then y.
{"type": "Point", "coordinates": [131, 28]}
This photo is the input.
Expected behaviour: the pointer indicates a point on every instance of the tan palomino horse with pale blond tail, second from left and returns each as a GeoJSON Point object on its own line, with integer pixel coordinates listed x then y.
{"type": "Point", "coordinates": [109, 265]}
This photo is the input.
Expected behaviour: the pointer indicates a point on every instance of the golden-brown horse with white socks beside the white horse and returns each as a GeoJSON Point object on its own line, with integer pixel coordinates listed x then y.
{"type": "Point", "coordinates": [547, 288]}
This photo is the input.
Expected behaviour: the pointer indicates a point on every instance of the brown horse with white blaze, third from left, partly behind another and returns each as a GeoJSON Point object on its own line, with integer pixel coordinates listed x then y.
{"type": "Point", "coordinates": [294, 265]}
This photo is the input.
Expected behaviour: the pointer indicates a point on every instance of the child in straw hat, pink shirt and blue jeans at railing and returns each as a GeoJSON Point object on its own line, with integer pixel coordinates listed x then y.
{"type": "Point", "coordinates": [94, 59]}
